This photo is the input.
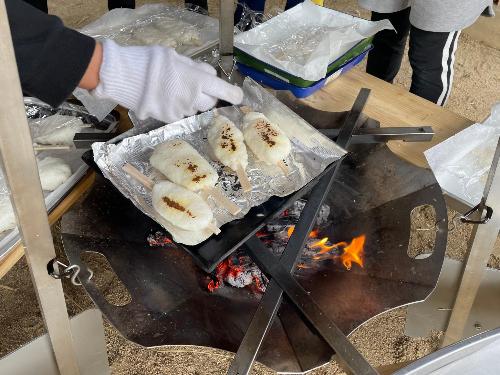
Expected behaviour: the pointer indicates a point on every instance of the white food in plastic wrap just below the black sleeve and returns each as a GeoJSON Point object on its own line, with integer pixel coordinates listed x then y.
{"type": "Point", "coordinates": [56, 129]}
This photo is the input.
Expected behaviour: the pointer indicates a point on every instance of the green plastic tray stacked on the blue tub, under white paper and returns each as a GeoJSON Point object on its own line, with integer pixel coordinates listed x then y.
{"type": "Point", "coordinates": [259, 65]}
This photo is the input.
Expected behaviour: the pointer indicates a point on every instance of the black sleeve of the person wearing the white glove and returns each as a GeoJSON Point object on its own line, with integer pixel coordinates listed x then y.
{"type": "Point", "coordinates": [51, 58]}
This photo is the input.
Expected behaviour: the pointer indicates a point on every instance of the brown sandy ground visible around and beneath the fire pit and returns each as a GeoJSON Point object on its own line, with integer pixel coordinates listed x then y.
{"type": "Point", "coordinates": [382, 340]}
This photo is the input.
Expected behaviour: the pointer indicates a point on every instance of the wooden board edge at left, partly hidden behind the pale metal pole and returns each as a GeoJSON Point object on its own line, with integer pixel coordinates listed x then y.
{"type": "Point", "coordinates": [18, 251]}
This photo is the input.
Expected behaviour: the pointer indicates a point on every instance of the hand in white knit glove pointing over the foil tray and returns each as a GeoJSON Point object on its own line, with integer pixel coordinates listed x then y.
{"type": "Point", "coordinates": [157, 82]}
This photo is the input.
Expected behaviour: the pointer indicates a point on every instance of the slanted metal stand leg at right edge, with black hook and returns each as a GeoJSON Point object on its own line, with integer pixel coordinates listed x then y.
{"type": "Point", "coordinates": [482, 240]}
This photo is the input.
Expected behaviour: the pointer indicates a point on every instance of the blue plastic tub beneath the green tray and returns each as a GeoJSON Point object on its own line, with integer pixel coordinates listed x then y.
{"type": "Point", "coordinates": [299, 92]}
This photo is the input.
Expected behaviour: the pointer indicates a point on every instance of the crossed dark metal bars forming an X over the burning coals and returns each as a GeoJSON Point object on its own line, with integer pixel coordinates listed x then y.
{"type": "Point", "coordinates": [271, 300]}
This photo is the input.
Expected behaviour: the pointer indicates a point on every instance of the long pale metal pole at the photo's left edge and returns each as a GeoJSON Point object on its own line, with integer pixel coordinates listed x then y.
{"type": "Point", "coordinates": [16, 151]}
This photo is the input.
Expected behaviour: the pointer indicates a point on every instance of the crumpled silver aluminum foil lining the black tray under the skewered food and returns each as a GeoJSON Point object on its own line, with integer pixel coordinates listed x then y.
{"type": "Point", "coordinates": [311, 154]}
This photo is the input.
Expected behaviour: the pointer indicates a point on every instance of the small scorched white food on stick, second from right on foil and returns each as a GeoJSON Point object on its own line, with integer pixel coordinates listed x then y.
{"type": "Point", "coordinates": [227, 143]}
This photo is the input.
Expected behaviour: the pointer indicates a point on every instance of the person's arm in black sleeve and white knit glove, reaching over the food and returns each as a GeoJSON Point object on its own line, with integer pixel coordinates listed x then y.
{"type": "Point", "coordinates": [152, 81]}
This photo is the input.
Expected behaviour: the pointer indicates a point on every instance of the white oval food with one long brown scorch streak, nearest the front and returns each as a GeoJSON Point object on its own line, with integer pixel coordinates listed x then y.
{"type": "Point", "coordinates": [181, 207]}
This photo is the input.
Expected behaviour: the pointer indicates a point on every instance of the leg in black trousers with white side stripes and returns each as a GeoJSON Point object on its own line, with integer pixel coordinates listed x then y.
{"type": "Point", "coordinates": [432, 56]}
